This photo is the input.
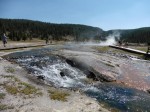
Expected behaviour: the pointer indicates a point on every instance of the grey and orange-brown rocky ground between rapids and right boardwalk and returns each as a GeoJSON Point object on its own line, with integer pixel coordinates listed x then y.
{"type": "Point", "coordinates": [111, 65]}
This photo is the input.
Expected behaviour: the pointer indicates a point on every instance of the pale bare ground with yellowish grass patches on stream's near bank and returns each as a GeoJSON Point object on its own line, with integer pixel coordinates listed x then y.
{"type": "Point", "coordinates": [23, 92]}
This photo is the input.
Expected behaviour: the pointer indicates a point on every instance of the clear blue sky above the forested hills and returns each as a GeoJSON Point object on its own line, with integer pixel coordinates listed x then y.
{"type": "Point", "coordinates": [106, 14]}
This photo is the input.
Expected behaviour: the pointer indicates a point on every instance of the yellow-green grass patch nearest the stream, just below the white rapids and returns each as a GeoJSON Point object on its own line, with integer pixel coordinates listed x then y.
{"type": "Point", "coordinates": [58, 95]}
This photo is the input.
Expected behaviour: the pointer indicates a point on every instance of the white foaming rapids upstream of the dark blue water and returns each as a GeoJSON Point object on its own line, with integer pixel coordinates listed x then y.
{"type": "Point", "coordinates": [51, 67]}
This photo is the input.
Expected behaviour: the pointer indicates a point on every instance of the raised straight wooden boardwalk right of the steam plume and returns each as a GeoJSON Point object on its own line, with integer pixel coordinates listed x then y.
{"type": "Point", "coordinates": [131, 50]}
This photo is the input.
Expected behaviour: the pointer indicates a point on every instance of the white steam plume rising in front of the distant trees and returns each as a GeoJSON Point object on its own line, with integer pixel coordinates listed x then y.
{"type": "Point", "coordinates": [111, 39]}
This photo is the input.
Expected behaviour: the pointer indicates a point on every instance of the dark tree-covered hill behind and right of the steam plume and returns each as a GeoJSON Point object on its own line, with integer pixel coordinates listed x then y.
{"type": "Point", "coordinates": [140, 35]}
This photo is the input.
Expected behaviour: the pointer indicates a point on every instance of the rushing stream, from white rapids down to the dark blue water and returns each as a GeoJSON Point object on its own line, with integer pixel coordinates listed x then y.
{"type": "Point", "coordinates": [40, 62]}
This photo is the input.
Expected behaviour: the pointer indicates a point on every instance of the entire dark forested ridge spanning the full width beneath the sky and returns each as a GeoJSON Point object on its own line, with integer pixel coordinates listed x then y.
{"type": "Point", "coordinates": [21, 29]}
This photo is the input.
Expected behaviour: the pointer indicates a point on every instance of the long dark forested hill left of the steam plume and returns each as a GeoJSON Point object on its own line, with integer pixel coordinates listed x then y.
{"type": "Point", "coordinates": [20, 29]}
